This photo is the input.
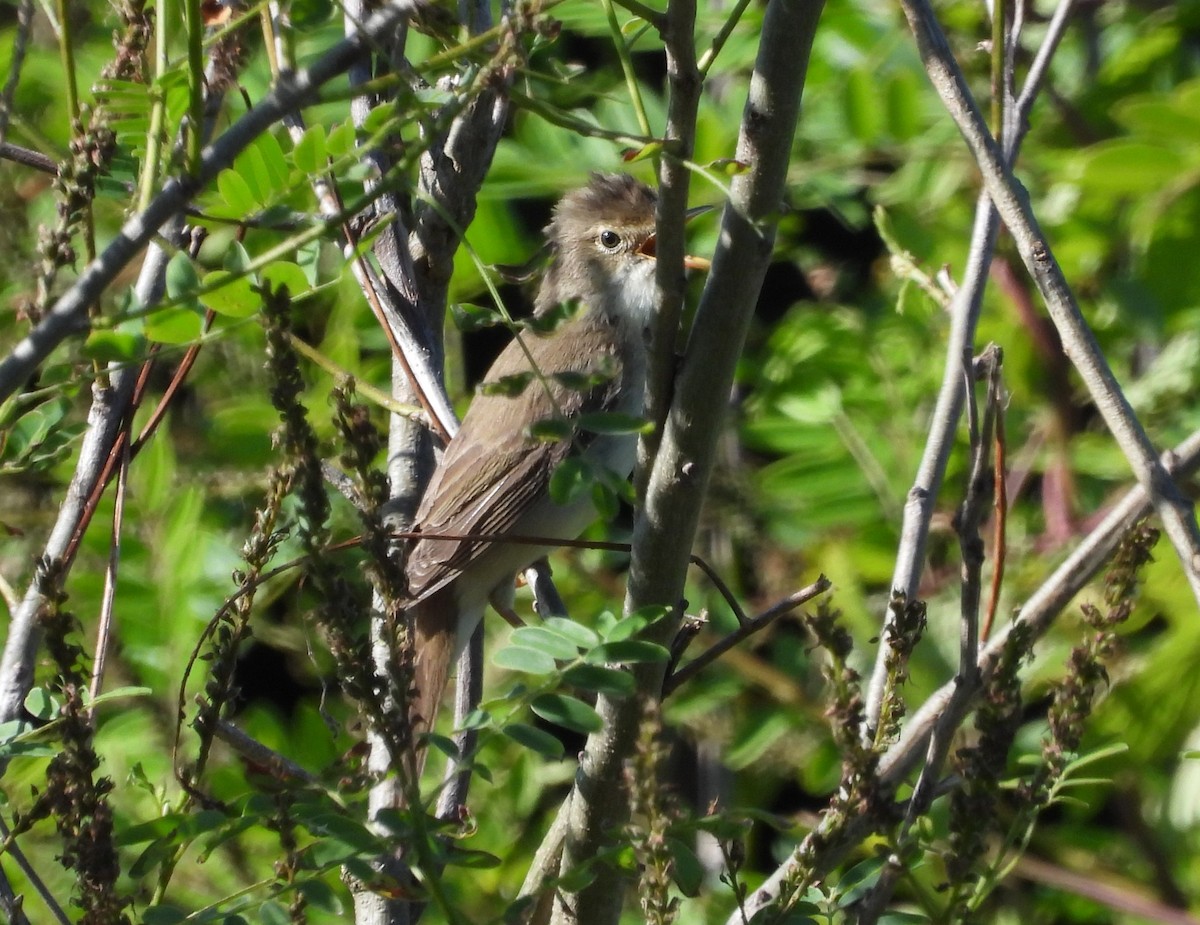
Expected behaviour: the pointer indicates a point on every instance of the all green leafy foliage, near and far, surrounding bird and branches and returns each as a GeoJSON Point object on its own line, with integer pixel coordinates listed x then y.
{"type": "Point", "coordinates": [137, 807]}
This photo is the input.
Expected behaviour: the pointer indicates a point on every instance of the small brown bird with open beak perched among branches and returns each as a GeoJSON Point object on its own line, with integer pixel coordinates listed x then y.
{"type": "Point", "coordinates": [494, 476]}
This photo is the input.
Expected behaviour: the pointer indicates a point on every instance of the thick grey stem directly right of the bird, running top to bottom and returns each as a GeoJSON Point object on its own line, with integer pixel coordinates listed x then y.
{"type": "Point", "coordinates": [681, 468]}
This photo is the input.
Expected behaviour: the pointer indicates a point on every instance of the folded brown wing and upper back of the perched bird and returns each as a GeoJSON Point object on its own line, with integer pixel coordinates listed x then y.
{"type": "Point", "coordinates": [494, 472]}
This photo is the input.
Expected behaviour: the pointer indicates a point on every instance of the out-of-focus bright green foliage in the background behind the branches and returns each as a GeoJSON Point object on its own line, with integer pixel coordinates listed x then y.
{"type": "Point", "coordinates": [827, 425]}
